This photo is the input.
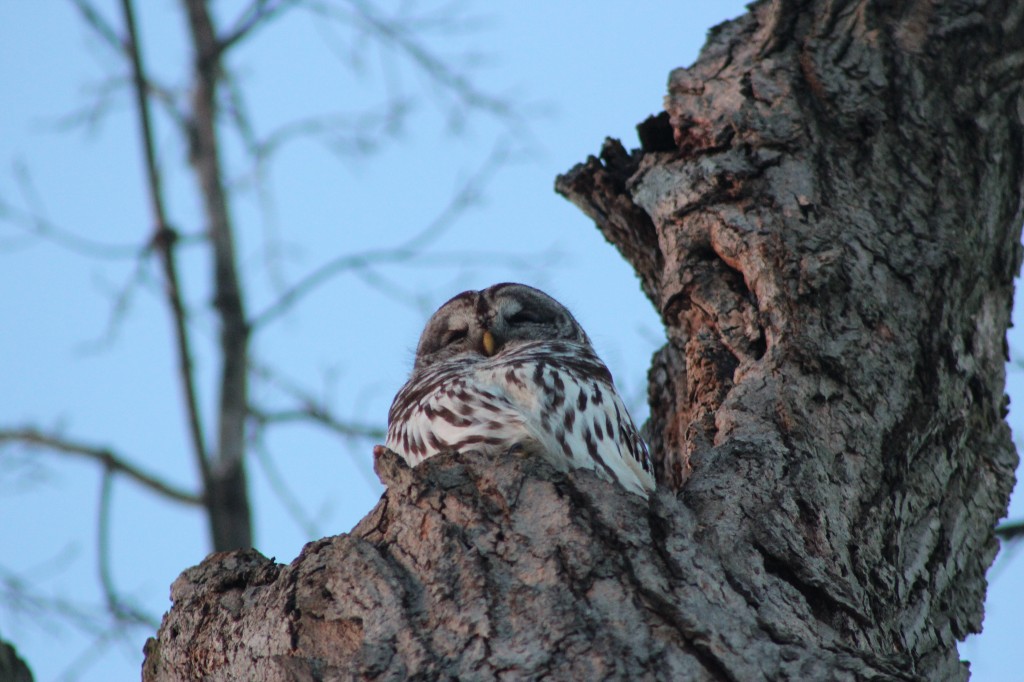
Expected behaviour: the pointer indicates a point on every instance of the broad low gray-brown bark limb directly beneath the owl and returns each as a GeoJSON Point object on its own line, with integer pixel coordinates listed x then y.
{"type": "Point", "coordinates": [493, 568]}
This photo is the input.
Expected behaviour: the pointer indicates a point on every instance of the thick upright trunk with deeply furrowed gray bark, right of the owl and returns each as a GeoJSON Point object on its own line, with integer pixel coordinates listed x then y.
{"type": "Point", "coordinates": [838, 211]}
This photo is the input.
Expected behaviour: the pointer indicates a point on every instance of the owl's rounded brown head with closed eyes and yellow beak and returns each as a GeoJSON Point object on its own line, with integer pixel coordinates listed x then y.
{"type": "Point", "coordinates": [493, 321]}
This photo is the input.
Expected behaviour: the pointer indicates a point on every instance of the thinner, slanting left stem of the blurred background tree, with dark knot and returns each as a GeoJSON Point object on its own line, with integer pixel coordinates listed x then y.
{"type": "Point", "coordinates": [163, 240]}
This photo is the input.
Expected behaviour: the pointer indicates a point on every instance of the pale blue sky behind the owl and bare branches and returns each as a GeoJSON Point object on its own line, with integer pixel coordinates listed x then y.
{"type": "Point", "coordinates": [578, 71]}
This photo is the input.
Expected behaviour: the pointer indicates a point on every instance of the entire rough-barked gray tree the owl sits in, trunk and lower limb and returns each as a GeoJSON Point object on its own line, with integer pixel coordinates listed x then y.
{"type": "Point", "coordinates": [828, 219]}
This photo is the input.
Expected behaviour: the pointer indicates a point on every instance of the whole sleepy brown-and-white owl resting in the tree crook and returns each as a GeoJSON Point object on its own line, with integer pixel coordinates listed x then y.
{"type": "Point", "coordinates": [509, 367]}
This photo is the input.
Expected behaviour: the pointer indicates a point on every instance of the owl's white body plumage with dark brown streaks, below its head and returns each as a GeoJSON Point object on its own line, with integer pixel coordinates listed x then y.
{"type": "Point", "coordinates": [554, 400]}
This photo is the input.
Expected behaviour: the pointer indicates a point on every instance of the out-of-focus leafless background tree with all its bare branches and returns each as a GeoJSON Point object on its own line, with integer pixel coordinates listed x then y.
{"type": "Point", "coordinates": [206, 114]}
